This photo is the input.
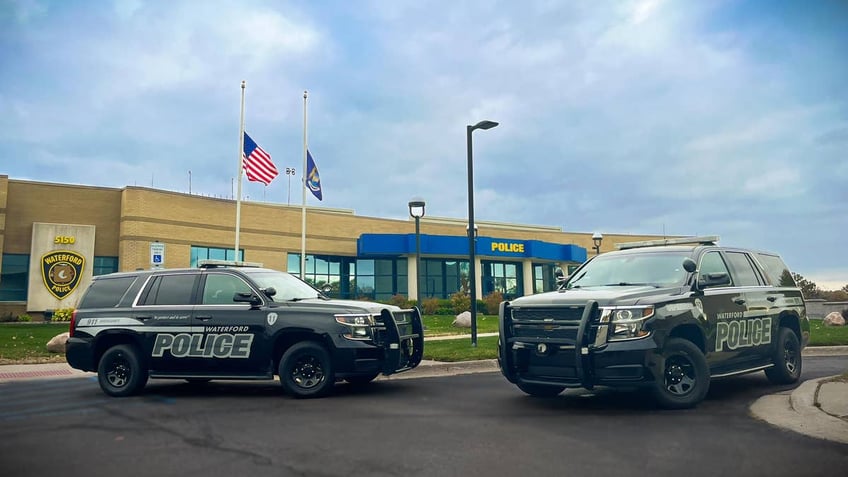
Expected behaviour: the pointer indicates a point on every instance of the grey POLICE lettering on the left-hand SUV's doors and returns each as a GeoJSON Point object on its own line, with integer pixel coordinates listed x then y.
{"type": "Point", "coordinates": [198, 345]}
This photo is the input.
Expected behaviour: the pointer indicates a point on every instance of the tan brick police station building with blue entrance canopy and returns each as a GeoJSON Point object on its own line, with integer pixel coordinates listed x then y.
{"type": "Point", "coordinates": [55, 237]}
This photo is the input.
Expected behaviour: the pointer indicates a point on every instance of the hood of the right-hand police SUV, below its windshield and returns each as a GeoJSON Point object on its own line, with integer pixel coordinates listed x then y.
{"type": "Point", "coordinates": [604, 295]}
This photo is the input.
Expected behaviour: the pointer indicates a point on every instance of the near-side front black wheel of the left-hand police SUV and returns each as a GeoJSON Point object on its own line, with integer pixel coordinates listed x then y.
{"type": "Point", "coordinates": [306, 371]}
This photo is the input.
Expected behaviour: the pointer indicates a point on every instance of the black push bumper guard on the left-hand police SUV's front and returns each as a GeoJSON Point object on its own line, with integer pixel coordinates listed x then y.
{"type": "Point", "coordinates": [404, 340]}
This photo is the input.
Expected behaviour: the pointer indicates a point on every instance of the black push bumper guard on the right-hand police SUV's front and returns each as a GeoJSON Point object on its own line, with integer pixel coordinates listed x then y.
{"type": "Point", "coordinates": [576, 370]}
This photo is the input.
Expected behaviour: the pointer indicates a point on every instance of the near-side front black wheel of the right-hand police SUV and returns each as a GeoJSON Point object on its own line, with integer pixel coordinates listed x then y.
{"type": "Point", "coordinates": [684, 376]}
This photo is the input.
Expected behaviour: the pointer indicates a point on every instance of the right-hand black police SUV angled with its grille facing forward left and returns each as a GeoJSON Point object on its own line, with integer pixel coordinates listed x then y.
{"type": "Point", "coordinates": [669, 315]}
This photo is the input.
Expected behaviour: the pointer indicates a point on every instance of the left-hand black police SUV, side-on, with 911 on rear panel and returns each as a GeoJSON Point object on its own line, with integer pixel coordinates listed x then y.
{"type": "Point", "coordinates": [220, 321]}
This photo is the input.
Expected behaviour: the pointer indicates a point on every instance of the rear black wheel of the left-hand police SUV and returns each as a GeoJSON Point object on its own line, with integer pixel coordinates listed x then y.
{"type": "Point", "coordinates": [120, 371]}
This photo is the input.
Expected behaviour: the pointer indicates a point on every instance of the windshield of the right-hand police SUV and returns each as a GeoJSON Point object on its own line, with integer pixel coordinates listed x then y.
{"type": "Point", "coordinates": [656, 269]}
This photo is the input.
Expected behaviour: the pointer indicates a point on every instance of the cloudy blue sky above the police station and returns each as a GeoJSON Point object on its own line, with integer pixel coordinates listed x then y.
{"type": "Point", "coordinates": [717, 117]}
